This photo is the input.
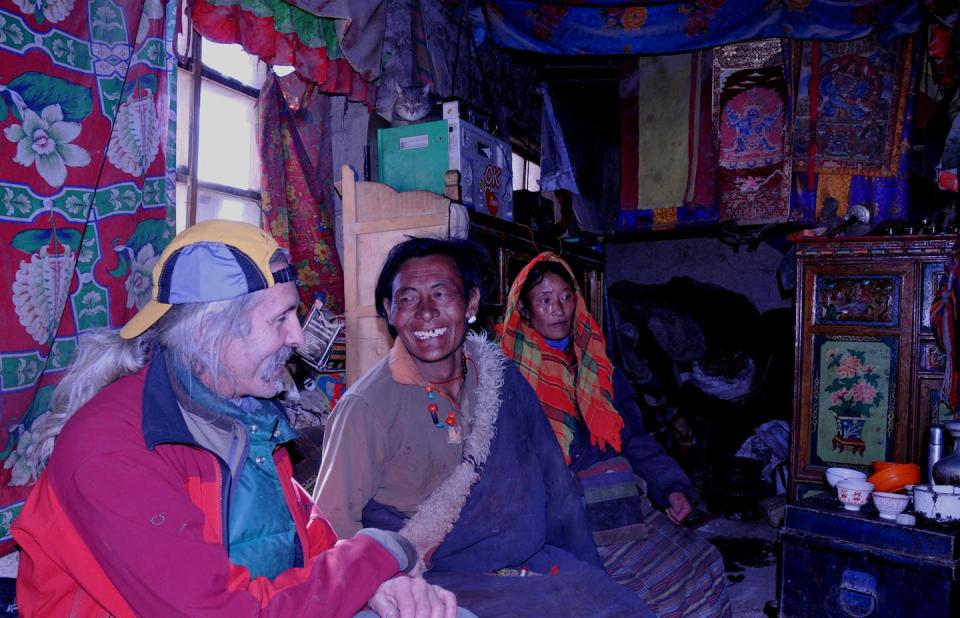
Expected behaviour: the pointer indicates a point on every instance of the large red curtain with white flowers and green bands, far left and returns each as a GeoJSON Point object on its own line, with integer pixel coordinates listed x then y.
{"type": "Point", "coordinates": [86, 194]}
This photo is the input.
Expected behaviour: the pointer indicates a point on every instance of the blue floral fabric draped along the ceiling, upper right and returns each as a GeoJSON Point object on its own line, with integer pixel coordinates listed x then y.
{"type": "Point", "coordinates": [663, 26]}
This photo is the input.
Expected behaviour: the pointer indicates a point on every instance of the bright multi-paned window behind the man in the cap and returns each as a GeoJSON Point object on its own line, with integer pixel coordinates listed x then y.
{"type": "Point", "coordinates": [218, 165]}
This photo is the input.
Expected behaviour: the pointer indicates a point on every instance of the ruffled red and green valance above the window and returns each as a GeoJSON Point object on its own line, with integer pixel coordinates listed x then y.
{"type": "Point", "coordinates": [280, 33]}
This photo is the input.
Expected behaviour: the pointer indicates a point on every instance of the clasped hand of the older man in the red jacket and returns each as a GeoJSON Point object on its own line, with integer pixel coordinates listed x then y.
{"type": "Point", "coordinates": [412, 597]}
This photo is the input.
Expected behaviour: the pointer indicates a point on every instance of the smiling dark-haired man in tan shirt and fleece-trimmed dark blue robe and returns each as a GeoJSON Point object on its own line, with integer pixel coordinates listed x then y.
{"type": "Point", "coordinates": [444, 441]}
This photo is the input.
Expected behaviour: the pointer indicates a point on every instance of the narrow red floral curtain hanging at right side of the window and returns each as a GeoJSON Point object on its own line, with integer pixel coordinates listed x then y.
{"type": "Point", "coordinates": [297, 180]}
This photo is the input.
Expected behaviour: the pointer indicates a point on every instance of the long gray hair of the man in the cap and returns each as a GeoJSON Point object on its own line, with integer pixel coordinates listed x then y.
{"type": "Point", "coordinates": [194, 333]}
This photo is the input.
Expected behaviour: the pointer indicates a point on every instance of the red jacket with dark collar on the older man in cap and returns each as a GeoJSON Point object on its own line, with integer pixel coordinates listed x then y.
{"type": "Point", "coordinates": [127, 520]}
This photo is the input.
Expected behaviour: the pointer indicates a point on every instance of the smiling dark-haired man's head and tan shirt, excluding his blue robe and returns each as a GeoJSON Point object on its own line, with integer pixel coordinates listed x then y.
{"type": "Point", "coordinates": [428, 290]}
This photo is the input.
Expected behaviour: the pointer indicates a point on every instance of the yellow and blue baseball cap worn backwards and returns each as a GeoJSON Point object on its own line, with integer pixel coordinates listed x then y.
{"type": "Point", "coordinates": [210, 261]}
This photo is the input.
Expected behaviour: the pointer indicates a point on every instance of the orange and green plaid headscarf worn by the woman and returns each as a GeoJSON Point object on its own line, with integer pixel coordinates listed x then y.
{"type": "Point", "coordinates": [567, 391]}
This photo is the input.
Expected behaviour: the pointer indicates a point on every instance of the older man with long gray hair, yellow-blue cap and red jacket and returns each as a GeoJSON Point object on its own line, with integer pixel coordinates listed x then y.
{"type": "Point", "coordinates": [169, 492]}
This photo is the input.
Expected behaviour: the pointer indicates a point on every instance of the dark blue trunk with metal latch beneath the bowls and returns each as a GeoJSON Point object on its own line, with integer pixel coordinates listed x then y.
{"type": "Point", "coordinates": [837, 563]}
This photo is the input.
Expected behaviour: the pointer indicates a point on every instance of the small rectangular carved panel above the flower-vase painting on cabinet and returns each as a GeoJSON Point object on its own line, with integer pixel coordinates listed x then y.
{"type": "Point", "coordinates": [872, 300]}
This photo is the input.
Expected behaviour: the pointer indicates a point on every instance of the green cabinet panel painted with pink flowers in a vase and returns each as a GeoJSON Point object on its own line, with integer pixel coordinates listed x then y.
{"type": "Point", "coordinates": [854, 400]}
